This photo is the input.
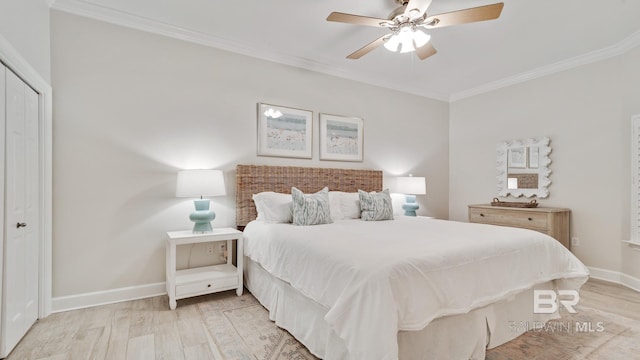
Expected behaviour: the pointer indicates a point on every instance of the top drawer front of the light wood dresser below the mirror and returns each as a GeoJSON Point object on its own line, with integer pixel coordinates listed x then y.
{"type": "Point", "coordinates": [529, 220]}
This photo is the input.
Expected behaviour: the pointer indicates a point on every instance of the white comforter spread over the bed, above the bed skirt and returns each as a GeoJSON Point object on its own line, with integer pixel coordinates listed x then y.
{"type": "Point", "coordinates": [377, 278]}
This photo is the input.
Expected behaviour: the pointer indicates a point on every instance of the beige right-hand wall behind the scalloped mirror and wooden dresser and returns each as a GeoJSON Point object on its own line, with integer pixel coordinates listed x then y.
{"type": "Point", "coordinates": [586, 113]}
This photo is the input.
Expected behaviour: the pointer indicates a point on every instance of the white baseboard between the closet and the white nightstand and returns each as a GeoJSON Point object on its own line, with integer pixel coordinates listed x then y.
{"type": "Point", "coordinates": [80, 301]}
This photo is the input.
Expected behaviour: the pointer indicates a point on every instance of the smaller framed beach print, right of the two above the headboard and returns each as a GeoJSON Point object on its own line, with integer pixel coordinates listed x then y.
{"type": "Point", "coordinates": [341, 138]}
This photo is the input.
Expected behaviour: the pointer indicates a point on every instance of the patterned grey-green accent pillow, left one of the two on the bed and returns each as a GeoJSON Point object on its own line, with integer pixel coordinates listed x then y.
{"type": "Point", "coordinates": [311, 209]}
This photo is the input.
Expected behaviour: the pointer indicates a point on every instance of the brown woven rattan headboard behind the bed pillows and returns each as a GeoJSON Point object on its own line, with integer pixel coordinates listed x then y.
{"type": "Point", "coordinates": [252, 179]}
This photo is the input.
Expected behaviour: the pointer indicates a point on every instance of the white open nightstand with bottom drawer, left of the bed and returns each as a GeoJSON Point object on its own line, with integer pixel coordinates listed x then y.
{"type": "Point", "coordinates": [206, 279]}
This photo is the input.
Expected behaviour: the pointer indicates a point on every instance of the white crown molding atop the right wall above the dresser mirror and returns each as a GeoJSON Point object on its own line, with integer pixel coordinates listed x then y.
{"type": "Point", "coordinates": [622, 47]}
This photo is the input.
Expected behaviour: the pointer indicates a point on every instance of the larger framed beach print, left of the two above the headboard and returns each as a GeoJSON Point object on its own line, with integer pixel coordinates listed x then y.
{"type": "Point", "coordinates": [284, 131]}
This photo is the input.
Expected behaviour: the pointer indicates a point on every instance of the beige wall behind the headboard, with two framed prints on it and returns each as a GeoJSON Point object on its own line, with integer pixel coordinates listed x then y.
{"type": "Point", "coordinates": [131, 108]}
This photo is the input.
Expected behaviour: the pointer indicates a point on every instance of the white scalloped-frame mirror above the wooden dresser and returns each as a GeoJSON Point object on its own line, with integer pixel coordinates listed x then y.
{"type": "Point", "coordinates": [523, 167]}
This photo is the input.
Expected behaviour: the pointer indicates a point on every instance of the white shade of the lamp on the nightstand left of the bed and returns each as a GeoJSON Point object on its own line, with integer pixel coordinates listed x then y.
{"type": "Point", "coordinates": [195, 183]}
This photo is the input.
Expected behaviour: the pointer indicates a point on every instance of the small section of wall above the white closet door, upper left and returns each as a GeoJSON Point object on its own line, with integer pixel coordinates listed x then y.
{"type": "Point", "coordinates": [25, 24]}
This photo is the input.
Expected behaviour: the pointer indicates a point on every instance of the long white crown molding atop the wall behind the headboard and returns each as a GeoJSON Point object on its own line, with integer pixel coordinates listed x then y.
{"type": "Point", "coordinates": [116, 17]}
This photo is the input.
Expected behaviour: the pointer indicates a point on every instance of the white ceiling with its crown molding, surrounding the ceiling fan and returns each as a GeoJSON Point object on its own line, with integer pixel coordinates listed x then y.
{"type": "Point", "coordinates": [531, 38]}
